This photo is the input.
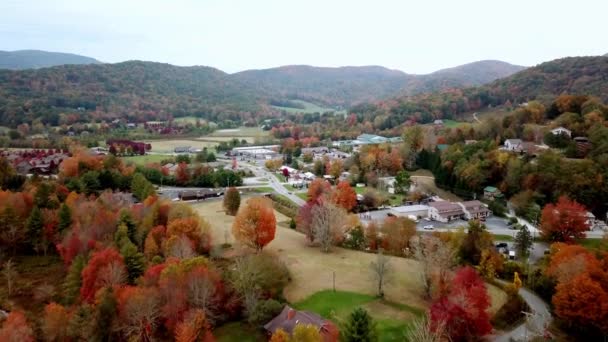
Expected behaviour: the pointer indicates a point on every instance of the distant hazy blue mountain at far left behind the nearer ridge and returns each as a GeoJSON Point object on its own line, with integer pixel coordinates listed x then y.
{"type": "Point", "coordinates": [33, 59]}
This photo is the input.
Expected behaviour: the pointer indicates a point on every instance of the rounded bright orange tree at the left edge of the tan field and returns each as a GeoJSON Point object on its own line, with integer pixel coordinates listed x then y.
{"type": "Point", "coordinates": [255, 223]}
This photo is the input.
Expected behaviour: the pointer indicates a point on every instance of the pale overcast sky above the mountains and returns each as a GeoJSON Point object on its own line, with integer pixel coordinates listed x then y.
{"type": "Point", "coordinates": [232, 35]}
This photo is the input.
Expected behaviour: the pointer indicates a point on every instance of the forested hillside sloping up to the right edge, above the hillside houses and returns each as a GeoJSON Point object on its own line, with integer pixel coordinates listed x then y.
{"type": "Point", "coordinates": [573, 75]}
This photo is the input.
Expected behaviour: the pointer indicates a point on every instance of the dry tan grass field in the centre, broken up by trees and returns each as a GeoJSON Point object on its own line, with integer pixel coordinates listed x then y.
{"type": "Point", "coordinates": [312, 271]}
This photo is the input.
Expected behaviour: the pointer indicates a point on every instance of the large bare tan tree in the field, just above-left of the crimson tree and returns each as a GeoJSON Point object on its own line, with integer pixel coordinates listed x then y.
{"type": "Point", "coordinates": [436, 260]}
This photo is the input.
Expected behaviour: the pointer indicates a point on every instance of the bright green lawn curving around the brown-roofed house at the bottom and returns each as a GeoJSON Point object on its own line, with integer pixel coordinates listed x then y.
{"type": "Point", "coordinates": [392, 319]}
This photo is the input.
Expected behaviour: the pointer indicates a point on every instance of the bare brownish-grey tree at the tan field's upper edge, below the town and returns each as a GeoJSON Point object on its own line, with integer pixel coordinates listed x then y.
{"type": "Point", "coordinates": [328, 224]}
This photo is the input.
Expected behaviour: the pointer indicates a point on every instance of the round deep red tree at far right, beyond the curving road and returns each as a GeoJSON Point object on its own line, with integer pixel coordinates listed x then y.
{"type": "Point", "coordinates": [564, 221]}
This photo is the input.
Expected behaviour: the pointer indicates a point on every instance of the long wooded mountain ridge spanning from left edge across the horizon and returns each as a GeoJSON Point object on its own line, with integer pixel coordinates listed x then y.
{"type": "Point", "coordinates": [146, 90]}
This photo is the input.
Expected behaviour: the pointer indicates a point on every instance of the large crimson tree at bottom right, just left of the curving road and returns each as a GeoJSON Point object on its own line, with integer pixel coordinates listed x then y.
{"type": "Point", "coordinates": [464, 308]}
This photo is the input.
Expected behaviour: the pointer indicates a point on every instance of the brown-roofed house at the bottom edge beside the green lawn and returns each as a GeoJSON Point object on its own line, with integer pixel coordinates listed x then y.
{"type": "Point", "coordinates": [289, 318]}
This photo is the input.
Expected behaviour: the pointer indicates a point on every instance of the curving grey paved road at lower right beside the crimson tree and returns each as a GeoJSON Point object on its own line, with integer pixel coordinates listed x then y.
{"type": "Point", "coordinates": [538, 319]}
